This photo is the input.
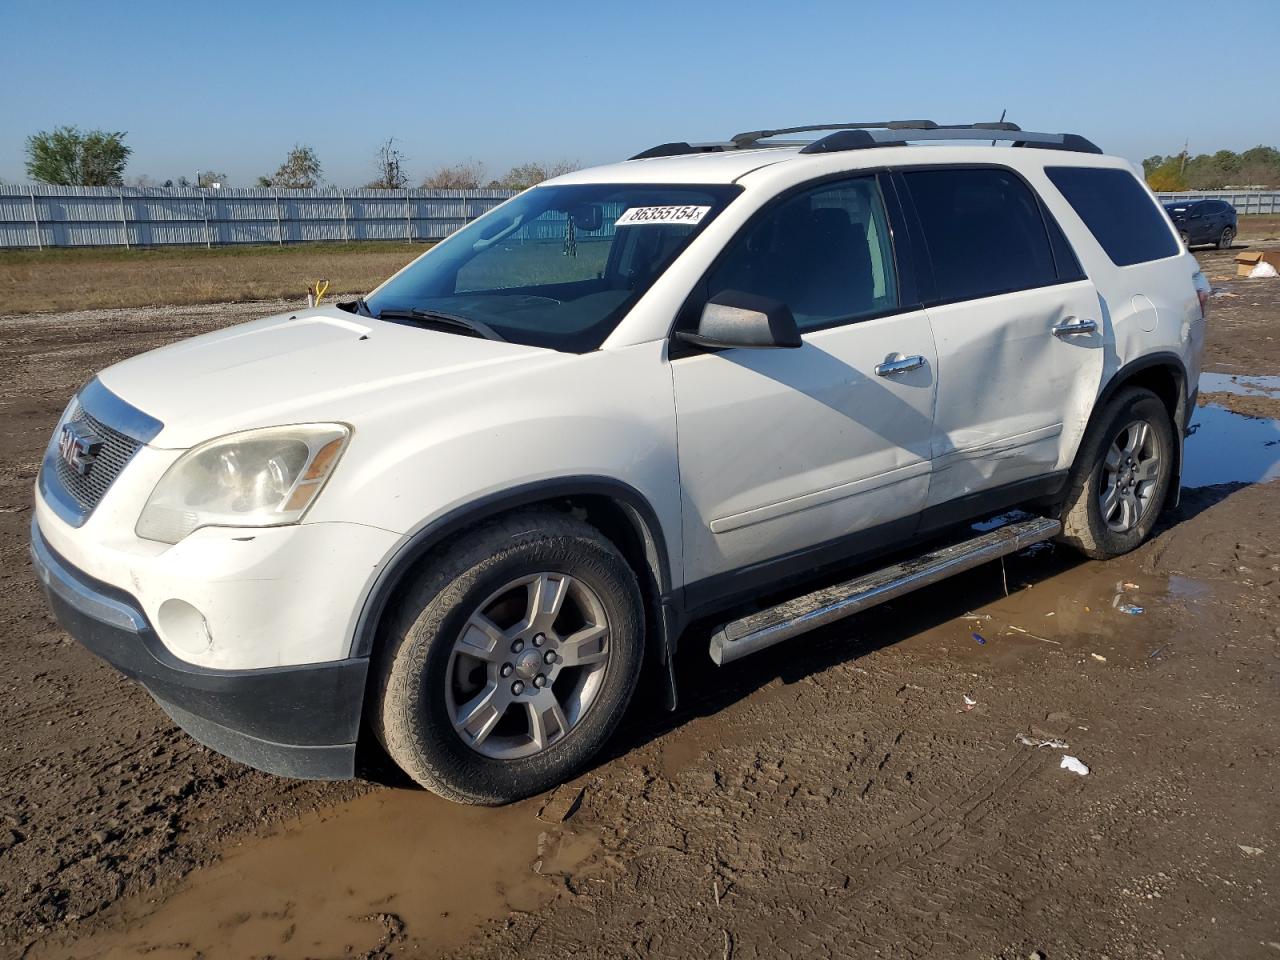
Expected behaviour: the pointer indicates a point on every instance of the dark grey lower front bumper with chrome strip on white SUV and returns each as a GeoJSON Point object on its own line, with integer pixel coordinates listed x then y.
{"type": "Point", "coordinates": [299, 721]}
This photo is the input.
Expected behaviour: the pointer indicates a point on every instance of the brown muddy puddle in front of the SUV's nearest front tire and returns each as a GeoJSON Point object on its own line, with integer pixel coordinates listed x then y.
{"type": "Point", "coordinates": [395, 872]}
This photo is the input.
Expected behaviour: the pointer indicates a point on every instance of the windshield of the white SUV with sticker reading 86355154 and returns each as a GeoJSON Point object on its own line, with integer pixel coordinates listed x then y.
{"type": "Point", "coordinates": [557, 267]}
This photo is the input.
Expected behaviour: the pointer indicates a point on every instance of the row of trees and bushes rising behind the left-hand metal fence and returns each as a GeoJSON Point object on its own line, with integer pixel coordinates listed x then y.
{"type": "Point", "coordinates": [72, 158]}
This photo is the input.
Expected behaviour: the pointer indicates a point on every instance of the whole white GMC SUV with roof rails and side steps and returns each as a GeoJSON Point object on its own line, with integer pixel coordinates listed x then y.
{"type": "Point", "coordinates": [463, 514]}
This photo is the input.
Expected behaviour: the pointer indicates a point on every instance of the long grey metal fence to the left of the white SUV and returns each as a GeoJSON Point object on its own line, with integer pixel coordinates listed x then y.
{"type": "Point", "coordinates": [40, 217]}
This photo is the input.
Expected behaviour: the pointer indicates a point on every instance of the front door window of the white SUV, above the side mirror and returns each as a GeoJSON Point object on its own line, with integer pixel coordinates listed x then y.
{"type": "Point", "coordinates": [825, 253]}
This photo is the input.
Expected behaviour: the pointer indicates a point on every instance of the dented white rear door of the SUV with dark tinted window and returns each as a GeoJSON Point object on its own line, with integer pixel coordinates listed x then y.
{"type": "Point", "coordinates": [1018, 330]}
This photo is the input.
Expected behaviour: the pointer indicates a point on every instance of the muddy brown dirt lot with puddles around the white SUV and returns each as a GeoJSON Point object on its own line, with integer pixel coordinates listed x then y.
{"type": "Point", "coordinates": [842, 798]}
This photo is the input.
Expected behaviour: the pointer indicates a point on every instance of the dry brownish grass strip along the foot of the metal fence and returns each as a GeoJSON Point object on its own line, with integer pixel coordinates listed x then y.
{"type": "Point", "coordinates": [34, 282]}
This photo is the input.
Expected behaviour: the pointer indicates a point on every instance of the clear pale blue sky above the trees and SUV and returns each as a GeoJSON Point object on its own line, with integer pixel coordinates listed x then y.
{"type": "Point", "coordinates": [234, 86]}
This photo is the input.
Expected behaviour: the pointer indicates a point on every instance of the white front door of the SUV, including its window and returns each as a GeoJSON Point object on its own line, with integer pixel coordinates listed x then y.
{"type": "Point", "coordinates": [785, 451]}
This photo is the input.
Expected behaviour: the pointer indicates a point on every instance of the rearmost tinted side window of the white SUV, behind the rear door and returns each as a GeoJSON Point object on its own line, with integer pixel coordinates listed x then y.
{"type": "Point", "coordinates": [1118, 212]}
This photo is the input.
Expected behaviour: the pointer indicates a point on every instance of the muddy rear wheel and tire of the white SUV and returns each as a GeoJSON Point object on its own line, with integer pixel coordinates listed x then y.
{"type": "Point", "coordinates": [1122, 477]}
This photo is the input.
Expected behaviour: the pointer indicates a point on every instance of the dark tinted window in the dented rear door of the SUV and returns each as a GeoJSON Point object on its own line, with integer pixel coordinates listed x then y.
{"type": "Point", "coordinates": [984, 230]}
